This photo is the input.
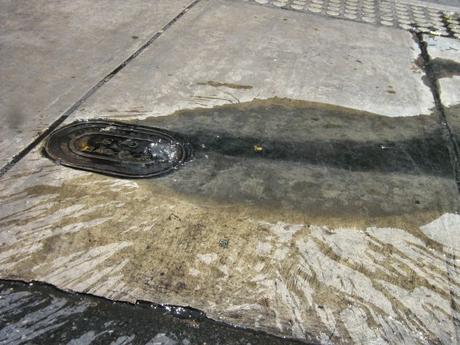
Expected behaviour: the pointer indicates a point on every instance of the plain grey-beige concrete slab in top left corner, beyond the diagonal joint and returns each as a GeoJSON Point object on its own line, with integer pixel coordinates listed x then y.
{"type": "Point", "coordinates": [52, 52]}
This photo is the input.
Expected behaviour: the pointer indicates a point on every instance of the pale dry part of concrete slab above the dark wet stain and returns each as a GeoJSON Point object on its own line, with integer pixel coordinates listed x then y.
{"type": "Point", "coordinates": [238, 52]}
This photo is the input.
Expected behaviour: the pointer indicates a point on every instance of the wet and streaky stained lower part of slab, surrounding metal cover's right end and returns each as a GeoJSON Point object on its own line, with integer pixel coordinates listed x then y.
{"type": "Point", "coordinates": [327, 247]}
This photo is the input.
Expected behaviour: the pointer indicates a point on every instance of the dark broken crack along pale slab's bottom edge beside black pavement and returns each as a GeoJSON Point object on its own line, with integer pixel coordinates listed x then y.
{"type": "Point", "coordinates": [172, 310]}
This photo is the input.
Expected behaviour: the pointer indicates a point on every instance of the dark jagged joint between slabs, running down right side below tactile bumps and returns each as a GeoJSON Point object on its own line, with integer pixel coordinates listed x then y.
{"type": "Point", "coordinates": [432, 82]}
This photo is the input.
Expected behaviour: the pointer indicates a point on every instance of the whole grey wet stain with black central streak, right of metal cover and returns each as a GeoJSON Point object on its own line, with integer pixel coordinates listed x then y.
{"type": "Point", "coordinates": [313, 158]}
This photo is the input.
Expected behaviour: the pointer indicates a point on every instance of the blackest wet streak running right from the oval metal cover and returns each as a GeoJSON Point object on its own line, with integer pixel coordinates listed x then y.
{"type": "Point", "coordinates": [424, 154]}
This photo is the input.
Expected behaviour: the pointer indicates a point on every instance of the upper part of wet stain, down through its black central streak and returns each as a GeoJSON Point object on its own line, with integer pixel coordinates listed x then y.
{"type": "Point", "coordinates": [316, 134]}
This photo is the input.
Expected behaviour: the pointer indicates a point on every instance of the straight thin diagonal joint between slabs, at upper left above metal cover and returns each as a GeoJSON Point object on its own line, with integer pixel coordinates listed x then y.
{"type": "Point", "coordinates": [16, 158]}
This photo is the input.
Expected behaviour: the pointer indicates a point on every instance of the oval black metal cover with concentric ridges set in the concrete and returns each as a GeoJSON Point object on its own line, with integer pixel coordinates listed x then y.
{"type": "Point", "coordinates": [117, 149]}
